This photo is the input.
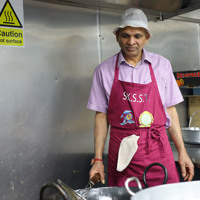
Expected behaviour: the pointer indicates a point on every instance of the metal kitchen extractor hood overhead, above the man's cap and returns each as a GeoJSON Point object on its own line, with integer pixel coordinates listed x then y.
{"type": "Point", "coordinates": [155, 9]}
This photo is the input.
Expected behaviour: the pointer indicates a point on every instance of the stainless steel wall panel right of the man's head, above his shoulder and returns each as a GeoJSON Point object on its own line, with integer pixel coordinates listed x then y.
{"type": "Point", "coordinates": [177, 41]}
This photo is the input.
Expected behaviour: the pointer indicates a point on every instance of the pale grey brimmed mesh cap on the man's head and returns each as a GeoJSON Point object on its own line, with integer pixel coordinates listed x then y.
{"type": "Point", "coordinates": [133, 17]}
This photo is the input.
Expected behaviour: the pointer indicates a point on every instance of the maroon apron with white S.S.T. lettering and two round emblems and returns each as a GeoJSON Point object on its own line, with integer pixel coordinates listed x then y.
{"type": "Point", "coordinates": [137, 109]}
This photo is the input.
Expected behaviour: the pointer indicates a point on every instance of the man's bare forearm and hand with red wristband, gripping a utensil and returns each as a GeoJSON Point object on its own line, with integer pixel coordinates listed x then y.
{"type": "Point", "coordinates": [100, 135]}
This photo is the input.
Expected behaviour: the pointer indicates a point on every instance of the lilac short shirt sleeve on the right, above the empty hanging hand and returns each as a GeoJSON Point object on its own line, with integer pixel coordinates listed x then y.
{"type": "Point", "coordinates": [173, 93]}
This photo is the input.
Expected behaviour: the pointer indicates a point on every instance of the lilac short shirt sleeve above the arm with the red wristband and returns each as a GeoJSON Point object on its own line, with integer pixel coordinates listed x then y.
{"type": "Point", "coordinates": [97, 98]}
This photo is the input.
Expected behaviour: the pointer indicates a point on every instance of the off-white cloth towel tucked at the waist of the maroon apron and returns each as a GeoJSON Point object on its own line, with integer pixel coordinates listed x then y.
{"type": "Point", "coordinates": [127, 150]}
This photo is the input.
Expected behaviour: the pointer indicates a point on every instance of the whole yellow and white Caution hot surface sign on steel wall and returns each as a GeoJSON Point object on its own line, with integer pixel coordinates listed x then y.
{"type": "Point", "coordinates": [11, 23]}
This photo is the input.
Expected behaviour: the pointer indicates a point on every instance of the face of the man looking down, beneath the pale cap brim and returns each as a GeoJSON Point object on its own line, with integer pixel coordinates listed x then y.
{"type": "Point", "coordinates": [132, 40]}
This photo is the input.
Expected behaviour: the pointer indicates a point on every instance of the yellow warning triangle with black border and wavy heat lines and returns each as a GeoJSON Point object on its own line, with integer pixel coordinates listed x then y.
{"type": "Point", "coordinates": [8, 16]}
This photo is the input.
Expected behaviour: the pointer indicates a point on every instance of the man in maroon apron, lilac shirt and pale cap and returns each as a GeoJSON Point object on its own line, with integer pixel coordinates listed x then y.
{"type": "Point", "coordinates": [135, 93]}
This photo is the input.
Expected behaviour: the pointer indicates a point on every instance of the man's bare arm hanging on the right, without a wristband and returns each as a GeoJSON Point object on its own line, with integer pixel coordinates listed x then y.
{"type": "Point", "coordinates": [187, 167]}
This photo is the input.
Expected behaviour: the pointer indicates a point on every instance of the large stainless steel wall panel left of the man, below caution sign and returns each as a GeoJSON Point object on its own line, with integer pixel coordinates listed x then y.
{"type": "Point", "coordinates": [45, 127]}
